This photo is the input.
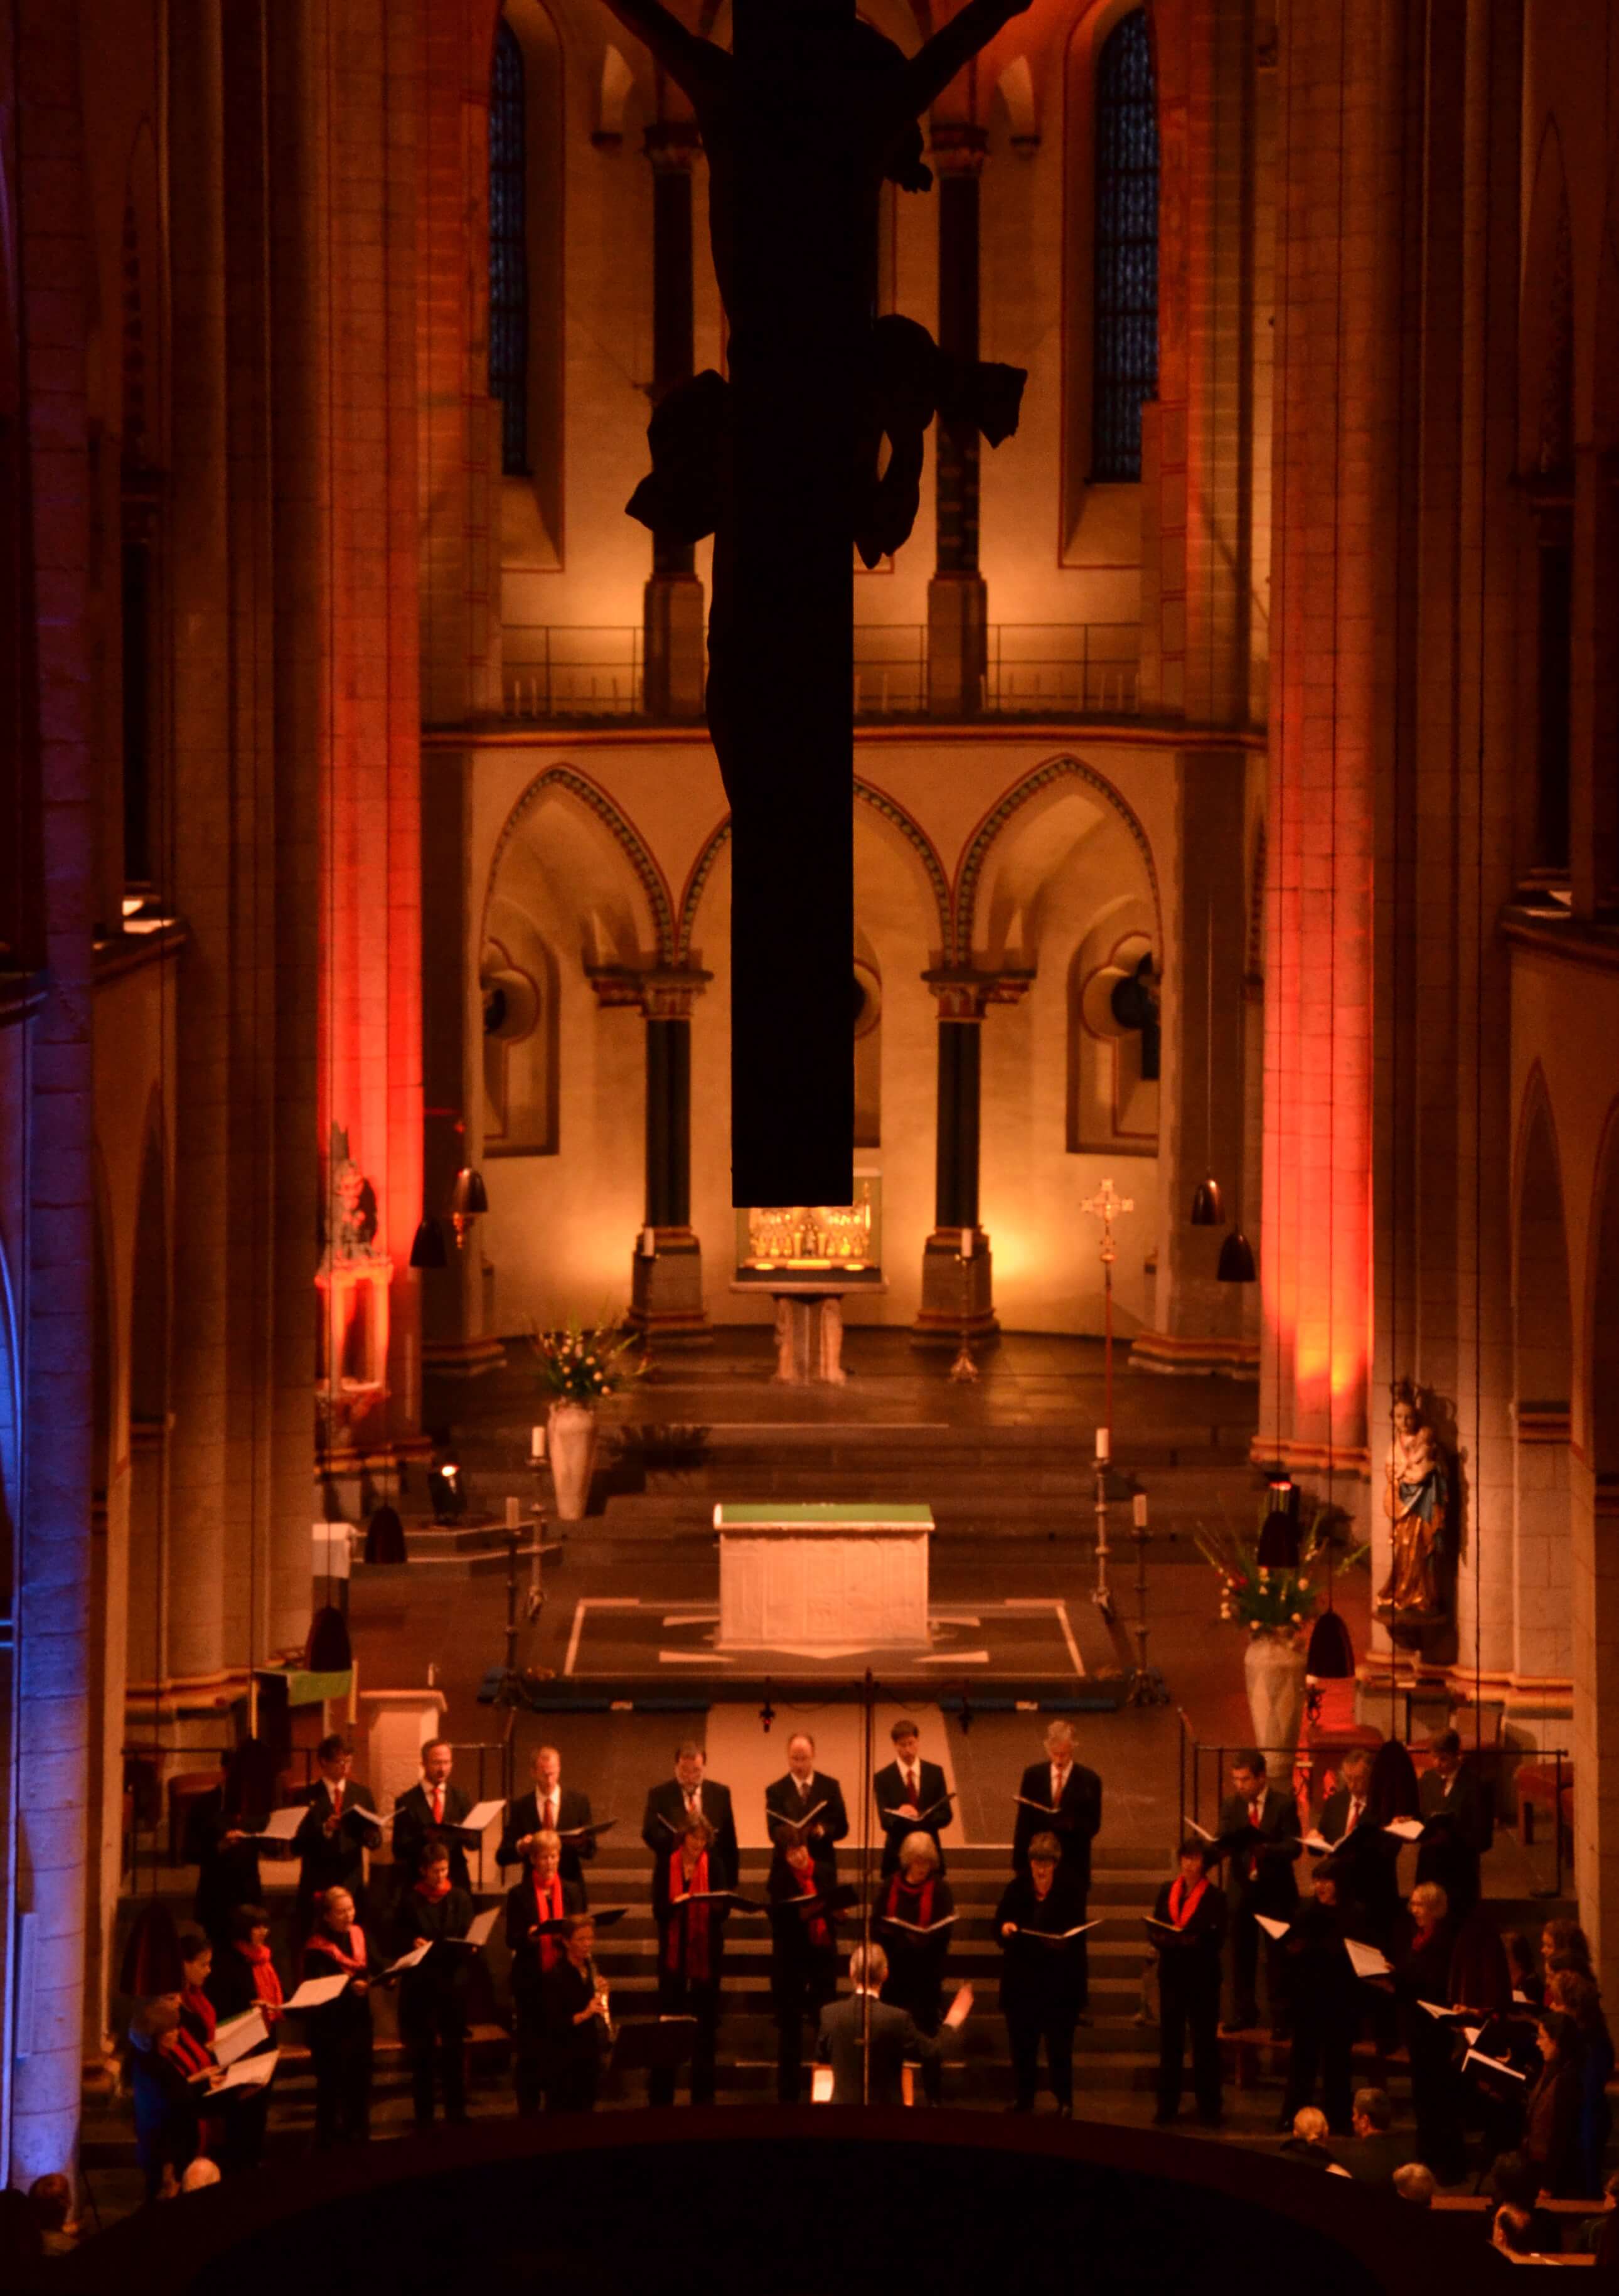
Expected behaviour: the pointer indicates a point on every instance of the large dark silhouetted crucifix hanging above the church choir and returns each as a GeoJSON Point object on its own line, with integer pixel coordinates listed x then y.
{"type": "Point", "coordinates": [803, 123]}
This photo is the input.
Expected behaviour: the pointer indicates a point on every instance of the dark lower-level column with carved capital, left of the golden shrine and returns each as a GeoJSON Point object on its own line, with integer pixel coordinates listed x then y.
{"type": "Point", "coordinates": [667, 1282]}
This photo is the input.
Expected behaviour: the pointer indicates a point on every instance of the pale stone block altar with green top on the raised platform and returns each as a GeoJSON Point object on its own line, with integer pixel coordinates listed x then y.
{"type": "Point", "coordinates": [823, 1581]}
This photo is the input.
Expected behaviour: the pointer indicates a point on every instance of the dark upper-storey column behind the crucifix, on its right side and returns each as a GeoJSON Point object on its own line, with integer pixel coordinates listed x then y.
{"type": "Point", "coordinates": [959, 607]}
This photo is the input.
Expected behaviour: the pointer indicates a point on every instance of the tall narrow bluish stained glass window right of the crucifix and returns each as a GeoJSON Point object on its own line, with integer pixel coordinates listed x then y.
{"type": "Point", "coordinates": [1126, 249]}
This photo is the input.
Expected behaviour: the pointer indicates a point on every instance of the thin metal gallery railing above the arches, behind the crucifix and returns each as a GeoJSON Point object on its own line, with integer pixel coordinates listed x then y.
{"type": "Point", "coordinates": [1032, 669]}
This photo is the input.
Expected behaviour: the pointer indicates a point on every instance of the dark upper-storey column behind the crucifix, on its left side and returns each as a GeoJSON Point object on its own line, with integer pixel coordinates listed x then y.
{"type": "Point", "coordinates": [674, 660]}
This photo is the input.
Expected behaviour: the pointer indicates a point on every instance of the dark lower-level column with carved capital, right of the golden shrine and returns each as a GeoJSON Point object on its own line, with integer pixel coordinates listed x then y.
{"type": "Point", "coordinates": [950, 1294]}
